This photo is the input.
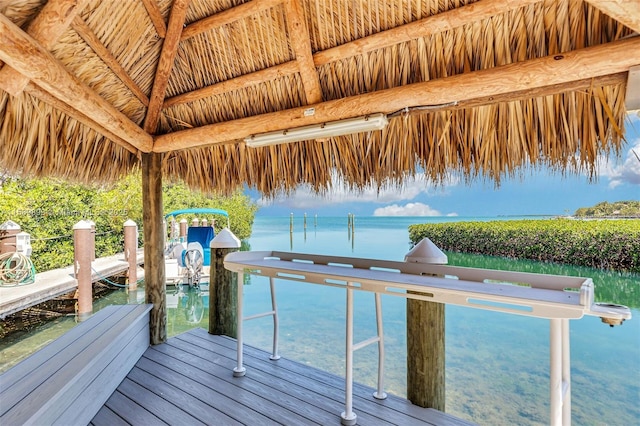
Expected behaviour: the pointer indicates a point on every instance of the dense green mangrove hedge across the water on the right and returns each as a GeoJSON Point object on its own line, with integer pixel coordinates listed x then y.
{"type": "Point", "coordinates": [604, 244]}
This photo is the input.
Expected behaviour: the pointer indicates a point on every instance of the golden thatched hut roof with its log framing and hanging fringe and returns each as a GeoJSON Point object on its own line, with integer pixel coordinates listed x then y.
{"type": "Point", "coordinates": [483, 88]}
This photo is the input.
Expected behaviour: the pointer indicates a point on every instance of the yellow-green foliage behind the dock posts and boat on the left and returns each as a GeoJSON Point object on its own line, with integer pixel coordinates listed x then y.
{"type": "Point", "coordinates": [47, 209]}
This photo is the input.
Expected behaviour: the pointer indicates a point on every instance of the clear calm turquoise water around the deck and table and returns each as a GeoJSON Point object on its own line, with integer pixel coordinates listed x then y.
{"type": "Point", "coordinates": [497, 365]}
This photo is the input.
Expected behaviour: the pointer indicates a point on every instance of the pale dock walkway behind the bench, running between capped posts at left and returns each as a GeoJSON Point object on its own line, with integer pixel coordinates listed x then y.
{"type": "Point", "coordinates": [54, 283]}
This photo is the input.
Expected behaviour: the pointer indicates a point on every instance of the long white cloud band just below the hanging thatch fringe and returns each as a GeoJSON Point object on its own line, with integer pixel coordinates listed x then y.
{"type": "Point", "coordinates": [304, 197]}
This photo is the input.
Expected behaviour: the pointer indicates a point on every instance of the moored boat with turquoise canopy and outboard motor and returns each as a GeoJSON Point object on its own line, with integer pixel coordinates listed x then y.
{"type": "Point", "coordinates": [187, 251]}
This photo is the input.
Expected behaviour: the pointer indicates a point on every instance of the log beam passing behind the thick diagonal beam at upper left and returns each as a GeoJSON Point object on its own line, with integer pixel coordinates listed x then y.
{"type": "Point", "coordinates": [54, 18]}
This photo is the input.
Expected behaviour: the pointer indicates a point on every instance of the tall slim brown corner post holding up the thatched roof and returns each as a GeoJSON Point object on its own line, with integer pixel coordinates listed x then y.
{"type": "Point", "coordinates": [154, 274]}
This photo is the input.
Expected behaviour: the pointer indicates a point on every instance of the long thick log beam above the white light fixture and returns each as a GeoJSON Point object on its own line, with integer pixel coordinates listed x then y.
{"type": "Point", "coordinates": [520, 80]}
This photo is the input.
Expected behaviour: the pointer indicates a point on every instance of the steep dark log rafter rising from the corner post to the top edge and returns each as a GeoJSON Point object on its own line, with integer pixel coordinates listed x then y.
{"type": "Point", "coordinates": [163, 72]}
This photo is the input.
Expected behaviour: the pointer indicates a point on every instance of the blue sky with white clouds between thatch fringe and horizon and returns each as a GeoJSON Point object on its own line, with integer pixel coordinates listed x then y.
{"type": "Point", "coordinates": [537, 192]}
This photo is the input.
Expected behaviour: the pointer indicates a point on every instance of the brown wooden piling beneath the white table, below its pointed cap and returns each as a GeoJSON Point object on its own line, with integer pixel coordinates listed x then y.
{"type": "Point", "coordinates": [425, 354]}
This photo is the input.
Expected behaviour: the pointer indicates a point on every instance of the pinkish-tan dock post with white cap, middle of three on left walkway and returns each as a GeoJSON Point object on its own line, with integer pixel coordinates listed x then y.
{"type": "Point", "coordinates": [83, 241]}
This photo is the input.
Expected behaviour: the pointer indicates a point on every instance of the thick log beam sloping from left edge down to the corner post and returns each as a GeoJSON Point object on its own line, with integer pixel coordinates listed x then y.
{"type": "Point", "coordinates": [29, 58]}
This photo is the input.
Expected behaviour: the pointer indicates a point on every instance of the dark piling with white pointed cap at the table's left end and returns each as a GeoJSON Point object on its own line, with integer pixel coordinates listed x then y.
{"type": "Point", "coordinates": [223, 287]}
